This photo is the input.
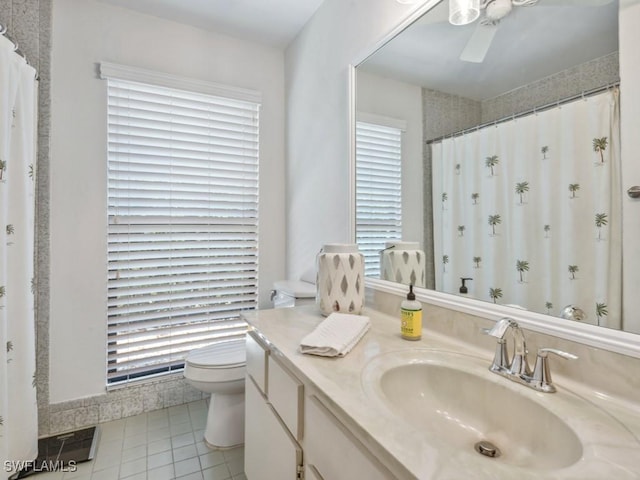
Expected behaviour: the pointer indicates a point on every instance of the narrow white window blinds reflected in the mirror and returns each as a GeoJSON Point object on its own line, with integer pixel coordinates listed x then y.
{"type": "Point", "coordinates": [378, 190]}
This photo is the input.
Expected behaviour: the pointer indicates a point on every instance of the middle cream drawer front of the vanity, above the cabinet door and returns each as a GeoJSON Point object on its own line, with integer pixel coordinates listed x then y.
{"type": "Point", "coordinates": [286, 395]}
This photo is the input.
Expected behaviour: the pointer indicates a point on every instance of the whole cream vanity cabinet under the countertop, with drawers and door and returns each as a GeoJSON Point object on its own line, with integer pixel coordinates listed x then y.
{"type": "Point", "coordinates": [290, 433]}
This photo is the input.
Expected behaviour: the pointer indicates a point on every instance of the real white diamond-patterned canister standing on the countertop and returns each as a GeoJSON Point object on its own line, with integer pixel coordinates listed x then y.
{"type": "Point", "coordinates": [340, 282]}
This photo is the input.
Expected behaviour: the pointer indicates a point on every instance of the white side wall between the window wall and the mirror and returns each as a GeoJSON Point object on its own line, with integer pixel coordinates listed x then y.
{"type": "Point", "coordinates": [318, 140]}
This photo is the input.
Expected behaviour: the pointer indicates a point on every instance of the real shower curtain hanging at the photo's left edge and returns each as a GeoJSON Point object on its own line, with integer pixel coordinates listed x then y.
{"type": "Point", "coordinates": [18, 407]}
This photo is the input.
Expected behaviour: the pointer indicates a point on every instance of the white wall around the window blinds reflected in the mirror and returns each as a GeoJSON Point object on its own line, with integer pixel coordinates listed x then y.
{"type": "Point", "coordinates": [402, 101]}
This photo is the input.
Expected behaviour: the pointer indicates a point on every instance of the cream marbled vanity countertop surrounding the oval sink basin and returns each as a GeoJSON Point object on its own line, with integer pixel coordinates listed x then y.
{"type": "Point", "coordinates": [411, 453]}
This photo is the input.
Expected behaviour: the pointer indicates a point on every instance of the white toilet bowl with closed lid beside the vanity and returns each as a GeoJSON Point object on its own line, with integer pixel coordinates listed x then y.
{"type": "Point", "coordinates": [219, 369]}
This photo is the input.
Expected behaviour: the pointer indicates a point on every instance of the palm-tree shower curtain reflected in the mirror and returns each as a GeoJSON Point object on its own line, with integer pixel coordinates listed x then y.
{"type": "Point", "coordinates": [530, 209]}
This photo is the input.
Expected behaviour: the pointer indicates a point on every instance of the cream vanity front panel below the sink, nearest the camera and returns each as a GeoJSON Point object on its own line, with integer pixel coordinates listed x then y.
{"type": "Point", "coordinates": [335, 452]}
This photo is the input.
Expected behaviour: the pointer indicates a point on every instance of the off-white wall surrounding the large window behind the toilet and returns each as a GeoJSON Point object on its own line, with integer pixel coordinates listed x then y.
{"type": "Point", "coordinates": [86, 32]}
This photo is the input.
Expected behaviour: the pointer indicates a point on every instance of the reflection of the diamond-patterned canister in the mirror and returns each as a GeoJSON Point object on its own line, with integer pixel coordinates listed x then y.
{"type": "Point", "coordinates": [403, 262]}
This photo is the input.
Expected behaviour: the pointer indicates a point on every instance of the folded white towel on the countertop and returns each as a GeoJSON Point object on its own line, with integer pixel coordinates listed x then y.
{"type": "Point", "coordinates": [336, 335]}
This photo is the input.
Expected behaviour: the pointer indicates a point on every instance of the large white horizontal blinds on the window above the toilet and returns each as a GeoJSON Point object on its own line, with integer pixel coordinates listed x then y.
{"type": "Point", "coordinates": [183, 223]}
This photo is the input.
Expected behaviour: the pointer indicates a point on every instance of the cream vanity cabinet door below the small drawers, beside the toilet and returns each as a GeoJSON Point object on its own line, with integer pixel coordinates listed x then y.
{"type": "Point", "coordinates": [270, 452]}
